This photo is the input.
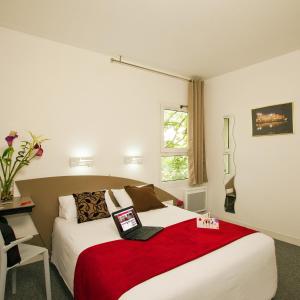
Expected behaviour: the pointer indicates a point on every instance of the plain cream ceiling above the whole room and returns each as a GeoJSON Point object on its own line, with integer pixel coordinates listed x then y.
{"type": "Point", "coordinates": [185, 37]}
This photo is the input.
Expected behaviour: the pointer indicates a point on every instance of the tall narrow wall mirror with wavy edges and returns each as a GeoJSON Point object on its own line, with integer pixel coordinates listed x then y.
{"type": "Point", "coordinates": [229, 165]}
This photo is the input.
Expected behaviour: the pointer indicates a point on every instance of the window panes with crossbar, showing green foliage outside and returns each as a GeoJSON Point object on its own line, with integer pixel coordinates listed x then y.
{"type": "Point", "coordinates": [174, 161]}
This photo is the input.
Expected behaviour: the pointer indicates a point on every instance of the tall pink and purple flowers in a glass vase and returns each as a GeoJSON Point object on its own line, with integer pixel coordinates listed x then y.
{"type": "Point", "coordinates": [13, 160]}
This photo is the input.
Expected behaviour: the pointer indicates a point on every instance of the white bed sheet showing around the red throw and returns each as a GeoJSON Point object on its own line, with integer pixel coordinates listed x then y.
{"type": "Point", "coordinates": [243, 270]}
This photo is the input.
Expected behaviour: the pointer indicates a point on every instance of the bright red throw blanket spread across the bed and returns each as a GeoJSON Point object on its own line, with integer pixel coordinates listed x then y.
{"type": "Point", "coordinates": [108, 270]}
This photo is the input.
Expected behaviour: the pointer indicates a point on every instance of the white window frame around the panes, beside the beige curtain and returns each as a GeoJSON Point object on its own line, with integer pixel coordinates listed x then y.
{"type": "Point", "coordinates": [166, 152]}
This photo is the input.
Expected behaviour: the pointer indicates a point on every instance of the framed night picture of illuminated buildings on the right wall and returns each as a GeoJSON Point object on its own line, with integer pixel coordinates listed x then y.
{"type": "Point", "coordinates": [275, 119]}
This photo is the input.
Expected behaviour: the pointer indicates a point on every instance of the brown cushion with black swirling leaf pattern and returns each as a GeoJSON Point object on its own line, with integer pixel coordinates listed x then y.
{"type": "Point", "coordinates": [91, 206]}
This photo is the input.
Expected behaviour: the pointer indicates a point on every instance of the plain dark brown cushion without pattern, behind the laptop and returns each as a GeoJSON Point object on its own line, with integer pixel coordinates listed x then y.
{"type": "Point", "coordinates": [143, 198]}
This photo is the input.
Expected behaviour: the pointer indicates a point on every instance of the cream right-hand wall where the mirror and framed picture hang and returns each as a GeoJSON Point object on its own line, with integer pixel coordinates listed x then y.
{"type": "Point", "coordinates": [267, 167]}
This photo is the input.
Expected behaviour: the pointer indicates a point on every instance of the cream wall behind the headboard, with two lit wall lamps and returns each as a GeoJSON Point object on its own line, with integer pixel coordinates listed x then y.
{"type": "Point", "coordinates": [86, 106]}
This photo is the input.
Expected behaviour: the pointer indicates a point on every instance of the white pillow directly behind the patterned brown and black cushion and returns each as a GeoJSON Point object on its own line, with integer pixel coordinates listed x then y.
{"type": "Point", "coordinates": [68, 210]}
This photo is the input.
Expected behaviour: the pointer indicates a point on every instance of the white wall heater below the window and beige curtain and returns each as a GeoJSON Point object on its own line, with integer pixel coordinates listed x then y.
{"type": "Point", "coordinates": [195, 199]}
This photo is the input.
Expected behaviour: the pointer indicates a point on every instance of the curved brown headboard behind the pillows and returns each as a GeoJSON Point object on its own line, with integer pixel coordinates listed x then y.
{"type": "Point", "coordinates": [45, 192]}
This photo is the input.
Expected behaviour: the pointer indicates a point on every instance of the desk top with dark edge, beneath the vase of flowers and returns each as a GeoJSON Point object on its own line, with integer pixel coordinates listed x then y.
{"type": "Point", "coordinates": [17, 206]}
